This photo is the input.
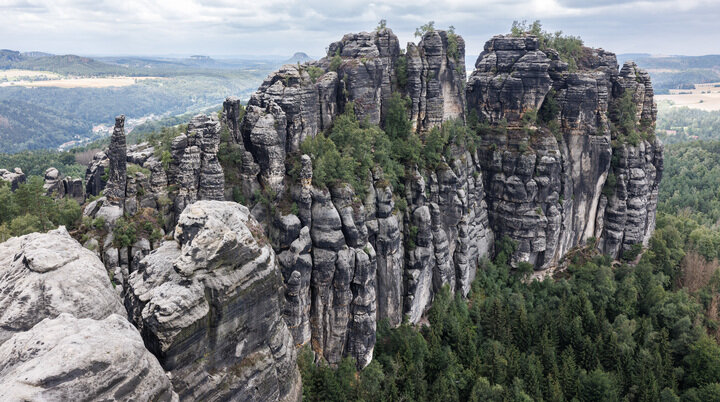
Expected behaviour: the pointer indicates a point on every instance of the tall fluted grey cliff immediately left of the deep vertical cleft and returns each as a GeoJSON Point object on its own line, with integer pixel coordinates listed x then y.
{"type": "Point", "coordinates": [345, 260]}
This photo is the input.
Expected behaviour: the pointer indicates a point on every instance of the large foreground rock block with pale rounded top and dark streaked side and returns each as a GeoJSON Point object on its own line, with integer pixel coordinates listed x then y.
{"type": "Point", "coordinates": [208, 306]}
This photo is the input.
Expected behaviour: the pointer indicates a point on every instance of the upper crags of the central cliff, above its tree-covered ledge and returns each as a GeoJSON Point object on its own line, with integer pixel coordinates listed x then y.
{"type": "Point", "coordinates": [291, 105]}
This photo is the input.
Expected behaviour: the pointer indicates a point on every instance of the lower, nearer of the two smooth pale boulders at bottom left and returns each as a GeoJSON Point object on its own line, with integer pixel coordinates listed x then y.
{"type": "Point", "coordinates": [67, 358]}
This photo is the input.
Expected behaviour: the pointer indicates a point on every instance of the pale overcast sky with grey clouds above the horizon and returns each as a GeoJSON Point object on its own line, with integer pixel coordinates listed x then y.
{"type": "Point", "coordinates": [282, 27]}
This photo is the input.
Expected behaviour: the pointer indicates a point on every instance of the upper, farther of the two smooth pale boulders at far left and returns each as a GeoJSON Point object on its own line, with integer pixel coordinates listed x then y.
{"type": "Point", "coordinates": [44, 275]}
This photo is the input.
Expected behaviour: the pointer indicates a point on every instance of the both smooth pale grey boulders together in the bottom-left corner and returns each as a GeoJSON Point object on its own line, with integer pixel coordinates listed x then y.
{"type": "Point", "coordinates": [63, 331]}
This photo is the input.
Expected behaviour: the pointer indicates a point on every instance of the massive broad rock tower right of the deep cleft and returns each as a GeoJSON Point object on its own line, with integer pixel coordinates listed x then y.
{"type": "Point", "coordinates": [546, 189]}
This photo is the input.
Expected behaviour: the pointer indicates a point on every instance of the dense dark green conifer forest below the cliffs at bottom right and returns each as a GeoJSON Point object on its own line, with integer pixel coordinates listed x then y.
{"type": "Point", "coordinates": [602, 332]}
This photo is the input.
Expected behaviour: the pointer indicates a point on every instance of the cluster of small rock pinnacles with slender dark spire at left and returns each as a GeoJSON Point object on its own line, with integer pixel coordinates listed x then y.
{"type": "Point", "coordinates": [144, 190]}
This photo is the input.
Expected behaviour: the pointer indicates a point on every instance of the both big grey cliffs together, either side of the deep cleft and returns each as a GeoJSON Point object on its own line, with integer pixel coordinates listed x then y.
{"type": "Point", "coordinates": [348, 262]}
